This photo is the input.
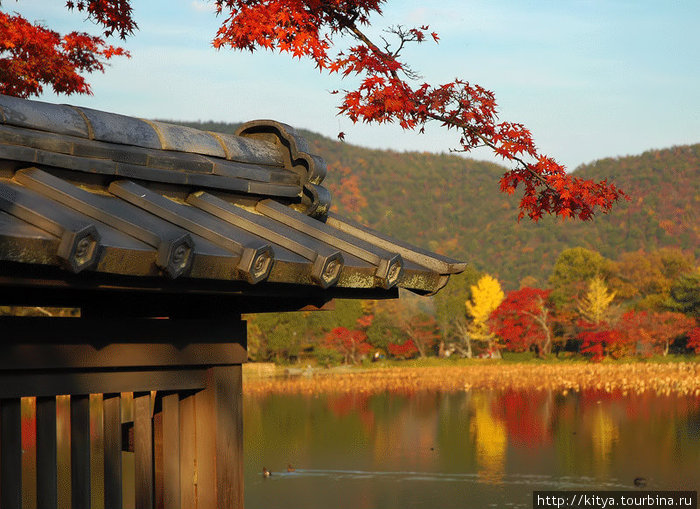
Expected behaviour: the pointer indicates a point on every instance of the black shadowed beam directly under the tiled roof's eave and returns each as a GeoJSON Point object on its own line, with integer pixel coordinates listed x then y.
{"type": "Point", "coordinates": [120, 296]}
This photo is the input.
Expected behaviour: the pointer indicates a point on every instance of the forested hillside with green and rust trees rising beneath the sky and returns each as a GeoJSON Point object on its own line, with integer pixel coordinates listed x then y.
{"type": "Point", "coordinates": [452, 205]}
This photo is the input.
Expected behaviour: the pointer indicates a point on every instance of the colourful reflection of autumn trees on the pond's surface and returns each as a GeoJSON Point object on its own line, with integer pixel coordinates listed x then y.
{"type": "Point", "coordinates": [598, 434]}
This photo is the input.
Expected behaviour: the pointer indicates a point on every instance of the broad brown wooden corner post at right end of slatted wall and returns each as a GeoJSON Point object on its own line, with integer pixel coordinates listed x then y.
{"type": "Point", "coordinates": [219, 440]}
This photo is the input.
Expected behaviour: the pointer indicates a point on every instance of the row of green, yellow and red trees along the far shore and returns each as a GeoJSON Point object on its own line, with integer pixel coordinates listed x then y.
{"type": "Point", "coordinates": [640, 305]}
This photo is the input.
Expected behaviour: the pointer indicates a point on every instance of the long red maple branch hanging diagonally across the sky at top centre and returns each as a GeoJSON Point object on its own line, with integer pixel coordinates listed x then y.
{"type": "Point", "coordinates": [390, 92]}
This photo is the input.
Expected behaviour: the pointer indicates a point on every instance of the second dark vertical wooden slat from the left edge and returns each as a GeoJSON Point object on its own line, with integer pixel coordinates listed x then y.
{"type": "Point", "coordinates": [46, 453]}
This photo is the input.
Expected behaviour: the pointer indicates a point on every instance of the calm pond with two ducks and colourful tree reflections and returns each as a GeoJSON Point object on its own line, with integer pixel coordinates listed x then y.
{"type": "Point", "coordinates": [464, 449]}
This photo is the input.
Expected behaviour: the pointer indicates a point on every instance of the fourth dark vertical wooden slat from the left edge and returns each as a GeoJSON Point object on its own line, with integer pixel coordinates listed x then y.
{"type": "Point", "coordinates": [113, 451]}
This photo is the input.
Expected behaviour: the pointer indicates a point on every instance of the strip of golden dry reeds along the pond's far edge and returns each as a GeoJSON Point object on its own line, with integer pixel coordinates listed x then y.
{"type": "Point", "coordinates": [672, 378]}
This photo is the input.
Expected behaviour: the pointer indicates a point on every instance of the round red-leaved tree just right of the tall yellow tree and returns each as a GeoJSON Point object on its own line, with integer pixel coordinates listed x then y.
{"type": "Point", "coordinates": [522, 320]}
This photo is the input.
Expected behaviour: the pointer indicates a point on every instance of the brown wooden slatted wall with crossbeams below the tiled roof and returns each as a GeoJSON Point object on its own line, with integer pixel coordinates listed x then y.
{"type": "Point", "coordinates": [166, 393]}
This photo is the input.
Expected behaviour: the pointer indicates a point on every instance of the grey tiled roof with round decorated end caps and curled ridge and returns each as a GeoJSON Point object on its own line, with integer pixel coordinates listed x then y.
{"type": "Point", "coordinates": [86, 190]}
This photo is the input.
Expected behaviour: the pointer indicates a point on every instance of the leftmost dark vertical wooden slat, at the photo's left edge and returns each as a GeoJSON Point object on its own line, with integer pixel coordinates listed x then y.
{"type": "Point", "coordinates": [11, 453]}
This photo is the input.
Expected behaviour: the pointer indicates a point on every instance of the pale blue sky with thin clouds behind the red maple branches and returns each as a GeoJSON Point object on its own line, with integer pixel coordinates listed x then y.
{"type": "Point", "coordinates": [591, 79]}
